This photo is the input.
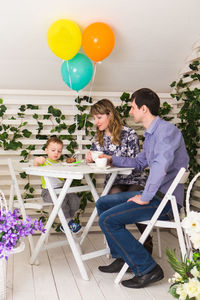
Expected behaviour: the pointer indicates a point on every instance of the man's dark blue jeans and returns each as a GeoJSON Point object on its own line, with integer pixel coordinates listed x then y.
{"type": "Point", "coordinates": [114, 213]}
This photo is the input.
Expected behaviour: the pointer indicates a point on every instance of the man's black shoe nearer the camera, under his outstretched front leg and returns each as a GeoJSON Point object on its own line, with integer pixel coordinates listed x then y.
{"type": "Point", "coordinates": [141, 281]}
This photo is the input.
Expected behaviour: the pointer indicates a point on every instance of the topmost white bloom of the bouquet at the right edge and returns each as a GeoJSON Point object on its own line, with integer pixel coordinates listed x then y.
{"type": "Point", "coordinates": [191, 223]}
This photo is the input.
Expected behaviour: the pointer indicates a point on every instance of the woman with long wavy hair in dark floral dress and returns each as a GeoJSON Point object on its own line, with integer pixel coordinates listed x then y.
{"type": "Point", "coordinates": [113, 138]}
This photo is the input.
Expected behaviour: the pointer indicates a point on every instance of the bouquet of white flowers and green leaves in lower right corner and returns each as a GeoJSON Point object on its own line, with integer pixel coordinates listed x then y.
{"type": "Point", "coordinates": [185, 284]}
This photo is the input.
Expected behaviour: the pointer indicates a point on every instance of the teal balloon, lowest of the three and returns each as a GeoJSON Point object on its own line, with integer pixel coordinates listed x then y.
{"type": "Point", "coordinates": [78, 73]}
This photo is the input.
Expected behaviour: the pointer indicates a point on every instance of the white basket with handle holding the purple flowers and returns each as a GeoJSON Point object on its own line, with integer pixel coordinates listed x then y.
{"type": "Point", "coordinates": [3, 261]}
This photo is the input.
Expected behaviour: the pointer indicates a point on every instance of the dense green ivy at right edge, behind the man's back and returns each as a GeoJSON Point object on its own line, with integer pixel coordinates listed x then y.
{"type": "Point", "coordinates": [190, 113]}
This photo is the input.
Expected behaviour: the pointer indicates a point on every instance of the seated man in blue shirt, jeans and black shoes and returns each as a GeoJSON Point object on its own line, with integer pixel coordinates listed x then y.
{"type": "Point", "coordinates": [164, 153]}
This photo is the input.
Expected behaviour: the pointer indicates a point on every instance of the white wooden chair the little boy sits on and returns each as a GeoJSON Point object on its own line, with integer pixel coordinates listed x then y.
{"type": "Point", "coordinates": [37, 204]}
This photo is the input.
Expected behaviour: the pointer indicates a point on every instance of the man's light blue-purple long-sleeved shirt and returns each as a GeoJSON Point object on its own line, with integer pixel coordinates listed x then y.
{"type": "Point", "coordinates": [165, 153]}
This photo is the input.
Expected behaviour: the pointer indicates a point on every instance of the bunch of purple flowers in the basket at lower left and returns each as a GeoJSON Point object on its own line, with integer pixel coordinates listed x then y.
{"type": "Point", "coordinates": [13, 228]}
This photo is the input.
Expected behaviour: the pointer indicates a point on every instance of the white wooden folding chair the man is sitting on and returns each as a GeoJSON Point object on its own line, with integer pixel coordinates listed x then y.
{"type": "Point", "coordinates": [182, 175]}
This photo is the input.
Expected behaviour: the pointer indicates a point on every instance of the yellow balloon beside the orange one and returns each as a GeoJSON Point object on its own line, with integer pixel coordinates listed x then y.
{"type": "Point", "coordinates": [64, 38]}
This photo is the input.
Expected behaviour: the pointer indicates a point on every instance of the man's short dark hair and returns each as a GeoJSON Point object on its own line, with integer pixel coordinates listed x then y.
{"type": "Point", "coordinates": [147, 97]}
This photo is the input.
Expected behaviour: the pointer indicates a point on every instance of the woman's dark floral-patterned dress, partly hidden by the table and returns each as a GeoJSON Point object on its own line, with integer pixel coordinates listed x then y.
{"type": "Point", "coordinates": [129, 146]}
